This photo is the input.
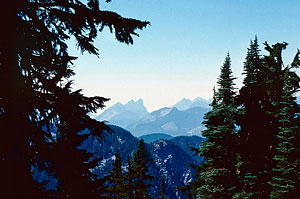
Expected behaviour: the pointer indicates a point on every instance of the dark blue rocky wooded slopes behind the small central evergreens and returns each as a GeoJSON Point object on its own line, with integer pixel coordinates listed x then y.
{"type": "Point", "coordinates": [169, 159]}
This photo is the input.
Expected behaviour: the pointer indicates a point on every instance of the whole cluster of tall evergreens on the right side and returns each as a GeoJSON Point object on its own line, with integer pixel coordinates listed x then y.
{"type": "Point", "coordinates": [252, 146]}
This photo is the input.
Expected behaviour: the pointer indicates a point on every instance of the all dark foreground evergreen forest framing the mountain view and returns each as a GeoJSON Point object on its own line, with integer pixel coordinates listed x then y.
{"type": "Point", "coordinates": [252, 146]}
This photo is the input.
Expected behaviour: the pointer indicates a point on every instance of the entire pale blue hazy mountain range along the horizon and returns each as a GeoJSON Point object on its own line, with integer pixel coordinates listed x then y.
{"type": "Point", "coordinates": [184, 118]}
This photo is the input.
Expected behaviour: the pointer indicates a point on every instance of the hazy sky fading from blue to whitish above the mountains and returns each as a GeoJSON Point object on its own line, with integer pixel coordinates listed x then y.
{"type": "Point", "coordinates": [180, 54]}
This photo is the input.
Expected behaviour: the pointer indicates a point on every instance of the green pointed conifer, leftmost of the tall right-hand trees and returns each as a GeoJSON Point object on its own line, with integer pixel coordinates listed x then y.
{"type": "Point", "coordinates": [218, 175]}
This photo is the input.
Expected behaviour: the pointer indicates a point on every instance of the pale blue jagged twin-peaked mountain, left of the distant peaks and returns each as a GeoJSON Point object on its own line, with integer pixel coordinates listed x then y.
{"type": "Point", "coordinates": [124, 114]}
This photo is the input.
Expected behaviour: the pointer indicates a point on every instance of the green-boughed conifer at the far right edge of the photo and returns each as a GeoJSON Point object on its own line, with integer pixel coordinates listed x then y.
{"type": "Point", "coordinates": [286, 180]}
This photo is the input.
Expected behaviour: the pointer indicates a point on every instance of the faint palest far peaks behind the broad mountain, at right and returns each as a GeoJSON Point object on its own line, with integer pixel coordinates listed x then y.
{"type": "Point", "coordinates": [185, 103]}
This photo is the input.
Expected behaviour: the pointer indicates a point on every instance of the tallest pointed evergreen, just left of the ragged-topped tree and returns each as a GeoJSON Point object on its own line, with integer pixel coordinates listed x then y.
{"type": "Point", "coordinates": [252, 121]}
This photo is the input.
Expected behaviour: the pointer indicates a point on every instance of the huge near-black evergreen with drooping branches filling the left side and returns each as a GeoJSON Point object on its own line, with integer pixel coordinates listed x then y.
{"type": "Point", "coordinates": [41, 118]}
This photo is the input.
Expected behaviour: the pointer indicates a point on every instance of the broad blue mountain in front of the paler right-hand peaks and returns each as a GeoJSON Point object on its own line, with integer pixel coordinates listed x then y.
{"type": "Point", "coordinates": [170, 121]}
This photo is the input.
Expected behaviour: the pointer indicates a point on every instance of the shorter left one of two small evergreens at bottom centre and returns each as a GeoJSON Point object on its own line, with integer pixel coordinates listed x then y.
{"type": "Point", "coordinates": [116, 180]}
